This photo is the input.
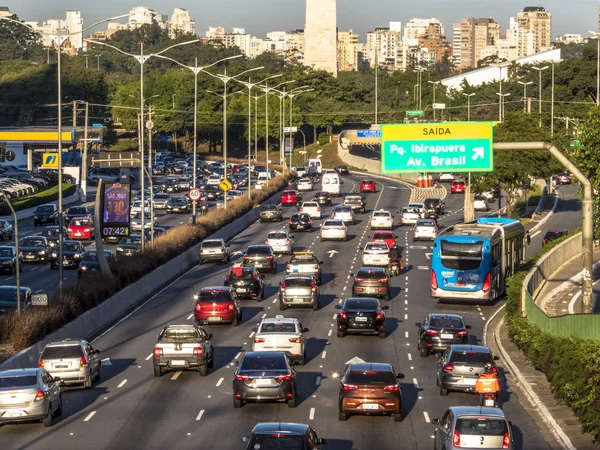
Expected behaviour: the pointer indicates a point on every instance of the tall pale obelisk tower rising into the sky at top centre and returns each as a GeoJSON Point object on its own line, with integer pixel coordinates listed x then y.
{"type": "Point", "coordinates": [320, 33]}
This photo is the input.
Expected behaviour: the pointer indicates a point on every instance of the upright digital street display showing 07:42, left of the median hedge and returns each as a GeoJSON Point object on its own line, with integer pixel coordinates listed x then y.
{"type": "Point", "coordinates": [116, 201]}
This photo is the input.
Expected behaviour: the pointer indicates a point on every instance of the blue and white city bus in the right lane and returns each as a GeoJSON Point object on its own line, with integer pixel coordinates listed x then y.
{"type": "Point", "coordinates": [471, 261]}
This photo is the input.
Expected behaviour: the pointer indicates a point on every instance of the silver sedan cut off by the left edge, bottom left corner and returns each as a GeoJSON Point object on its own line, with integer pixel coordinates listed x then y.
{"type": "Point", "coordinates": [29, 394]}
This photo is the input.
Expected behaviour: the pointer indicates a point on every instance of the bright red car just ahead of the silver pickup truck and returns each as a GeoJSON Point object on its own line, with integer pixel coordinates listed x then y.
{"type": "Point", "coordinates": [217, 305]}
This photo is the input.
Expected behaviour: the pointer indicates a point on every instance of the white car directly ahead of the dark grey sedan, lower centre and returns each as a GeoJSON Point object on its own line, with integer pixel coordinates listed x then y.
{"type": "Point", "coordinates": [281, 334]}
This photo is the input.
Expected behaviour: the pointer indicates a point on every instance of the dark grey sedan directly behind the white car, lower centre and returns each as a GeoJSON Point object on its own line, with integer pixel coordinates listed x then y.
{"type": "Point", "coordinates": [263, 376]}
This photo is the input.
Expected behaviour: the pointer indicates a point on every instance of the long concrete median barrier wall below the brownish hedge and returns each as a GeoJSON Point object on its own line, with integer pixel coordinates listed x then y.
{"type": "Point", "coordinates": [108, 312]}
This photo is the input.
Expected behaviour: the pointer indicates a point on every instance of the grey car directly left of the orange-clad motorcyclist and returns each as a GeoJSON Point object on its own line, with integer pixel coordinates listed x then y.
{"type": "Point", "coordinates": [460, 365]}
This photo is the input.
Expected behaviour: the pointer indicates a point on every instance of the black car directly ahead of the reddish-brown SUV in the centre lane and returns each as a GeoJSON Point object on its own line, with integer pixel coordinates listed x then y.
{"type": "Point", "coordinates": [361, 316]}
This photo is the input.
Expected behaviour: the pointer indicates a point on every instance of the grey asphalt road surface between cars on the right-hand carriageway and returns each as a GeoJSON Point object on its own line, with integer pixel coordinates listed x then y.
{"type": "Point", "coordinates": [130, 408]}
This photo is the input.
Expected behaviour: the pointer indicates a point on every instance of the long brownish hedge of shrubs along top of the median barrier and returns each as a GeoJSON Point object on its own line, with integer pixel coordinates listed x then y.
{"type": "Point", "coordinates": [36, 323]}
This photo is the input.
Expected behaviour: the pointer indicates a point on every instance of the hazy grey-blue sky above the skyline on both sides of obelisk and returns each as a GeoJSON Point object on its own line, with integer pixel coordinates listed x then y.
{"type": "Point", "coordinates": [261, 16]}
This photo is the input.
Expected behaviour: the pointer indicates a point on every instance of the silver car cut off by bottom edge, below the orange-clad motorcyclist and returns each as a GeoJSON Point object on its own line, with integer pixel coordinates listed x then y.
{"type": "Point", "coordinates": [472, 427]}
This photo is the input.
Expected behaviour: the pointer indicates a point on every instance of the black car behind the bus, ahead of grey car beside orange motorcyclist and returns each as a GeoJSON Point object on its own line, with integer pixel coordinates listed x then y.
{"type": "Point", "coordinates": [437, 332]}
